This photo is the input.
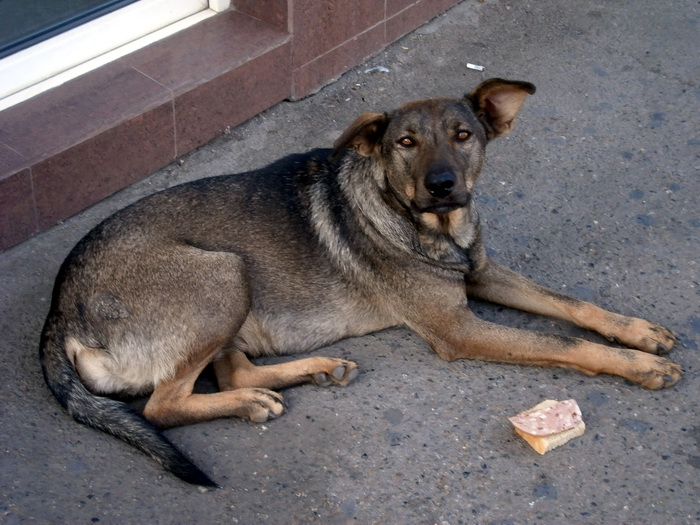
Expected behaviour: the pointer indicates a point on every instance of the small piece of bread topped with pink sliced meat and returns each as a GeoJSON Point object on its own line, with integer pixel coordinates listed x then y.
{"type": "Point", "coordinates": [549, 424]}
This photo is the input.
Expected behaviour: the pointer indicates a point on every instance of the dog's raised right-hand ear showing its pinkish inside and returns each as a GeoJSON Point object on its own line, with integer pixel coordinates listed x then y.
{"type": "Point", "coordinates": [496, 102]}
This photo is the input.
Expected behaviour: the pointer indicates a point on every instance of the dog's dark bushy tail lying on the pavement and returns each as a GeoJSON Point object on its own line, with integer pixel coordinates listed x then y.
{"type": "Point", "coordinates": [109, 415]}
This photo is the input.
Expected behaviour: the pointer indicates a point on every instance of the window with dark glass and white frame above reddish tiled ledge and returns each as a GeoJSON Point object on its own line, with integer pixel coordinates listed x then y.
{"type": "Point", "coordinates": [57, 50]}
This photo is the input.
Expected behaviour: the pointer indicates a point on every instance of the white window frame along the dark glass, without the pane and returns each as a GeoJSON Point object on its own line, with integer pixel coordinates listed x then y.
{"type": "Point", "coordinates": [66, 56]}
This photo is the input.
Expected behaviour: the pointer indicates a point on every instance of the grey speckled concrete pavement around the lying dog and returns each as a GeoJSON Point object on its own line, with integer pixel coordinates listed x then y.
{"type": "Point", "coordinates": [595, 193]}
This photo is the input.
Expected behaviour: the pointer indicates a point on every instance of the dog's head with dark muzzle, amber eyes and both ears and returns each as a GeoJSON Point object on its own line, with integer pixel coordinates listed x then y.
{"type": "Point", "coordinates": [431, 151]}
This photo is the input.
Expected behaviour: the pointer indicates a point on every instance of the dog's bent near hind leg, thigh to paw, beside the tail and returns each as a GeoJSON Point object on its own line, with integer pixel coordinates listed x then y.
{"type": "Point", "coordinates": [194, 303]}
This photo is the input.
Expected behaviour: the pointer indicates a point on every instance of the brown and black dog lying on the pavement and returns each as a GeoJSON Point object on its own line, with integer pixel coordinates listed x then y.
{"type": "Point", "coordinates": [380, 231]}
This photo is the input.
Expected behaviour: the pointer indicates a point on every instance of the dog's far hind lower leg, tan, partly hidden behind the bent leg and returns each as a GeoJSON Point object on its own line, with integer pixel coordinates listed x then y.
{"type": "Point", "coordinates": [235, 371]}
